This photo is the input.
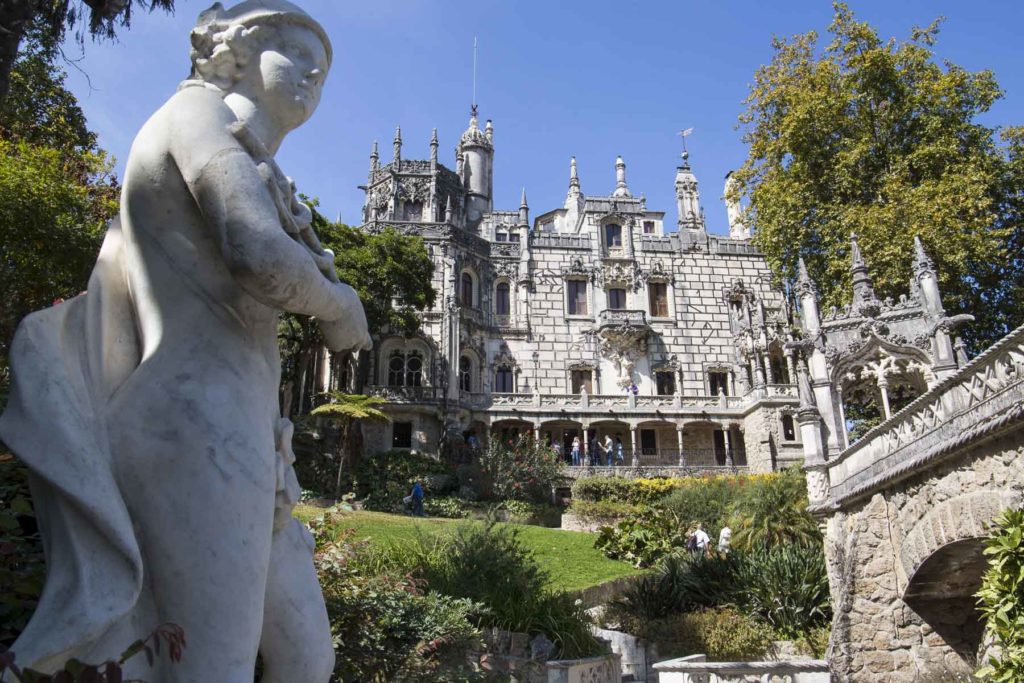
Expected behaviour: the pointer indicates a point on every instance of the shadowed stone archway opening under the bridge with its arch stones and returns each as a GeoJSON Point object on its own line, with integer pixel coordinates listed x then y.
{"type": "Point", "coordinates": [944, 563]}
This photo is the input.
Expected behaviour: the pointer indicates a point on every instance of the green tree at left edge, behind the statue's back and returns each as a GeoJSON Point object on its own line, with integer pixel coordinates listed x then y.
{"type": "Point", "coordinates": [57, 194]}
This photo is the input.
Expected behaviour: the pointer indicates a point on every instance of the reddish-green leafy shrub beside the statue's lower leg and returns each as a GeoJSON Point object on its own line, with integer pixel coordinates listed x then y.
{"type": "Point", "coordinates": [385, 627]}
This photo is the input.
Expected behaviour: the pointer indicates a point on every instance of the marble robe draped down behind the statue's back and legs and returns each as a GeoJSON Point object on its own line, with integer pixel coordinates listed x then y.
{"type": "Point", "coordinates": [68, 361]}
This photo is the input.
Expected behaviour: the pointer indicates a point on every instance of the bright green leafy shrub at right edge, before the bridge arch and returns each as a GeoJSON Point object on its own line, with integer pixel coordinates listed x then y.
{"type": "Point", "coordinates": [1001, 600]}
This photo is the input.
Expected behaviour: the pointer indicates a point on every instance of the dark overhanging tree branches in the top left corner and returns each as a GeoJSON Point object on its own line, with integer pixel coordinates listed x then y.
{"type": "Point", "coordinates": [50, 21]}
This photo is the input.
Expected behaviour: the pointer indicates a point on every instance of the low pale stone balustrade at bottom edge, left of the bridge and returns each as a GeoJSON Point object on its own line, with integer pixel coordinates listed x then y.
{"type": "Point", "coordinates": [696, 669]}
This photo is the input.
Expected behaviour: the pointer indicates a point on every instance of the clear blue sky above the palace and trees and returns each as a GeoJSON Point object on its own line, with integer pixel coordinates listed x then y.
{"type": "Point", "coordinates": [592, 79]}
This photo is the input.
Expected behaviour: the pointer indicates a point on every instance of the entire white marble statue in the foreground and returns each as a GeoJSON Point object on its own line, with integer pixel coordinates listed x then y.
{"type": "Point", "coordinates": [147, 409]}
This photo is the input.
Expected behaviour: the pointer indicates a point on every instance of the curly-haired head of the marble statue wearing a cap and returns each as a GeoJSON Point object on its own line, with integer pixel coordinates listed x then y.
{"type": "Point", "coordinates": [272, 42]}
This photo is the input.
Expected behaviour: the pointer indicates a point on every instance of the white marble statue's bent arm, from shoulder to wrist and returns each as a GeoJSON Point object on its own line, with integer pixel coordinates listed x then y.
{"type": "Point", "coordinates": [237, 205]}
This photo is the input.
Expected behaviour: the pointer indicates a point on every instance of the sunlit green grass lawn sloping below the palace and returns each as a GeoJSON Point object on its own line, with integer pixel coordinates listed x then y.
{"type": "Point", "coordinates": [569, 558]}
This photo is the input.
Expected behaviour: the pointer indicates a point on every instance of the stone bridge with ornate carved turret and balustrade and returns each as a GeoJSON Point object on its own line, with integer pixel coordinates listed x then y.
{"type": "Point", "coordinates": [908, 506]}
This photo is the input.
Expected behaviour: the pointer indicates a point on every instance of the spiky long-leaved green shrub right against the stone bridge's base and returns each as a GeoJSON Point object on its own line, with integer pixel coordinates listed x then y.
{"type": "Point", "coordinates": [787, 587]}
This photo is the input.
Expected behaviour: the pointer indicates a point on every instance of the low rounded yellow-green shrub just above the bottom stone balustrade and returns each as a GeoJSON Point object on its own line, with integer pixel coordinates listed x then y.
{"type": "Point", "coordinates": [723, 634]}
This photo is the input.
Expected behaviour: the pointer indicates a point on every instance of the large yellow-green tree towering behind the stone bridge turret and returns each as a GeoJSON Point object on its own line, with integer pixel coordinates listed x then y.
{"type": "Point", "coordinates": [876, 138]}
